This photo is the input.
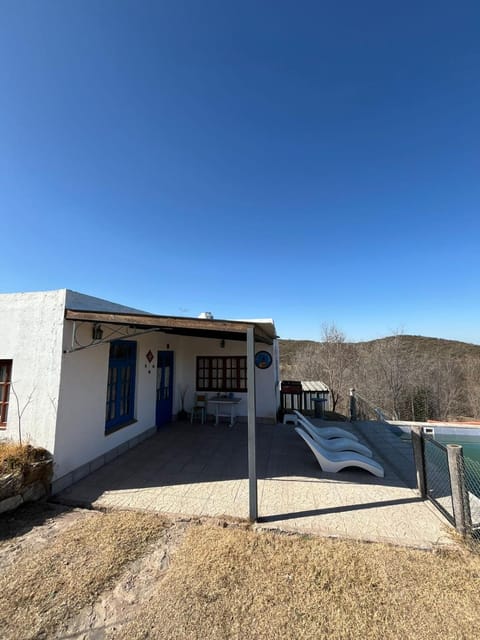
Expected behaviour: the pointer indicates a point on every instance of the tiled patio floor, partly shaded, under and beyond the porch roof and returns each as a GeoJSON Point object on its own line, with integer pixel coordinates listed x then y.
{"type": "Point", "coordinates": [202, 470]}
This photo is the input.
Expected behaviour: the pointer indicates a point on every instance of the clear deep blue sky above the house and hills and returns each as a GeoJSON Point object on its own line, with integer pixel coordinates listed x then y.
{"type": "Point", "coordinates": [307, 161]}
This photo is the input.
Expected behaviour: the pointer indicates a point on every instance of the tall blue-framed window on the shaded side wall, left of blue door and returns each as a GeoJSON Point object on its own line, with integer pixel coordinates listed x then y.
{"type": "Point", "coordinates": [121, 385]}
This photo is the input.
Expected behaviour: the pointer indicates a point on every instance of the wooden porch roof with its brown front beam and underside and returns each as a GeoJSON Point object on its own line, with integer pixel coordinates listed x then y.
{"type": "Point", "coordinates": [198, 327]}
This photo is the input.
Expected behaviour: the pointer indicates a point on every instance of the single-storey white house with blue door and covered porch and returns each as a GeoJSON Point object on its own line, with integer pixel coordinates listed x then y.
{"type": "Point", "coordinates": [87, 379]}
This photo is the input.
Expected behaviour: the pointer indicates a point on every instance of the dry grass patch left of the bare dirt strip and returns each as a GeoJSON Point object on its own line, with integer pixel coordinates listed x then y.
{"type": "Point", "coordinates": [47, 586]}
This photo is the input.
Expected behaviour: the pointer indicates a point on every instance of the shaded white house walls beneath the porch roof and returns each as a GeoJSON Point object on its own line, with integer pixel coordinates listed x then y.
{"type": "Point", "coordinates": [81, 436]}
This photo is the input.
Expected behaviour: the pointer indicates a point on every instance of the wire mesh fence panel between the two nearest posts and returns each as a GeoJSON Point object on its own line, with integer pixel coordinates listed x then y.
{"type": "Point", "coordinates": [437, 476]}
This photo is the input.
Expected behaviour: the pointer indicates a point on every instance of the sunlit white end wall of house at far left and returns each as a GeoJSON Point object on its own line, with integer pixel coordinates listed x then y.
{"type": "Point", "coordinates": [31, 331]}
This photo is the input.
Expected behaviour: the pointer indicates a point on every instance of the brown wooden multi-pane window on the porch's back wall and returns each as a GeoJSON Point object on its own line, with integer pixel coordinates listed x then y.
{"type": "Point", "coordinates": [221, 373]}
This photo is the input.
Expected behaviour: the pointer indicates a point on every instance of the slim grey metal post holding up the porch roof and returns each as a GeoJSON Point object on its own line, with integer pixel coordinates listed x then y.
{"type": "Point", "coordinates": [252, 454]}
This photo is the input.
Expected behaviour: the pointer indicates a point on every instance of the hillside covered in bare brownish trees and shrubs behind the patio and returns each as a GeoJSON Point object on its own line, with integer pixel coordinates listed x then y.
{"type": "Point", "coordinates": [410, 377]}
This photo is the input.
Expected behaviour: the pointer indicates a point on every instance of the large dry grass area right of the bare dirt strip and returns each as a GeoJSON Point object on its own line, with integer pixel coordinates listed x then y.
{"type": "Point", "coordinates": [232, 584]}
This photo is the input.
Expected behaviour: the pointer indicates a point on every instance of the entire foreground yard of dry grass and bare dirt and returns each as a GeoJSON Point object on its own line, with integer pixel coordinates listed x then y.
{"type": "Point", "coordinates": [73, 573]}
